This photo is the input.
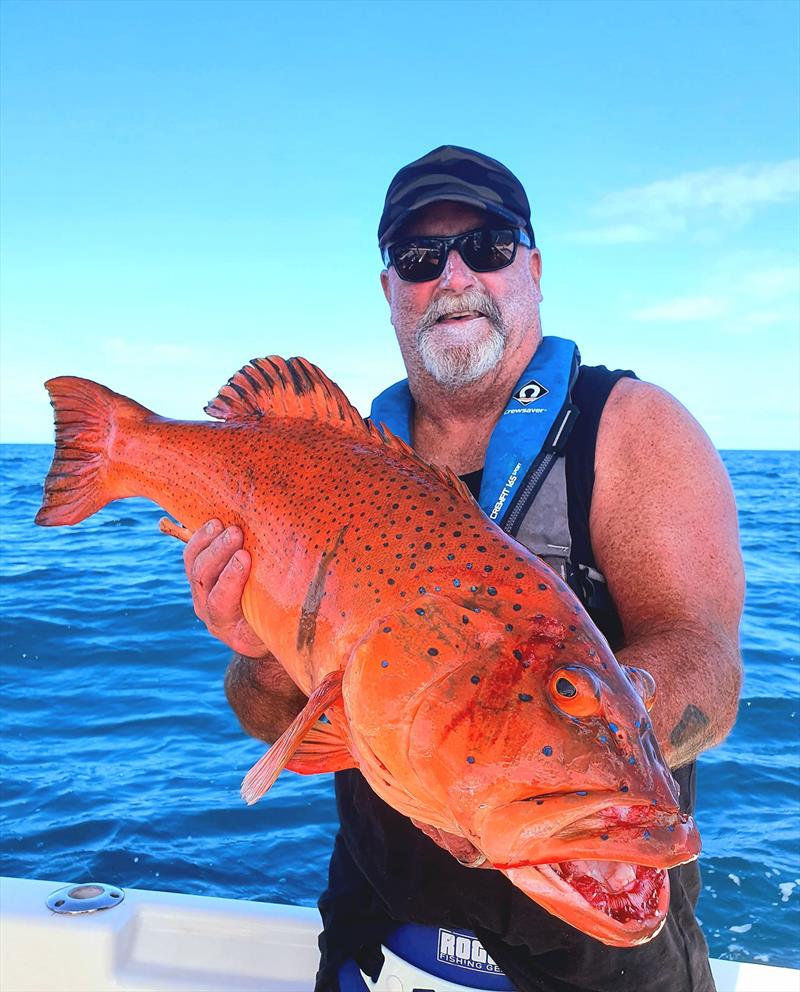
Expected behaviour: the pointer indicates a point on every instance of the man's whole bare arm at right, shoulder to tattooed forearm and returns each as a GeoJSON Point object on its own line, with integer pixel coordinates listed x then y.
{"type": "Point", "coordinates": [664, 532]}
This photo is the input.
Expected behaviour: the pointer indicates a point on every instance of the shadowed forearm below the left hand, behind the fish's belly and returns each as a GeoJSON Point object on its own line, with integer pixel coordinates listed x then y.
{"type": "Point", "coordinates": [262, 695]}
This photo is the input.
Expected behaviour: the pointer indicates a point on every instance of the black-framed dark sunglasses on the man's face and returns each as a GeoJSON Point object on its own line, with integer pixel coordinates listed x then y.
{"type": "Point", "coordinates": [486, 249]}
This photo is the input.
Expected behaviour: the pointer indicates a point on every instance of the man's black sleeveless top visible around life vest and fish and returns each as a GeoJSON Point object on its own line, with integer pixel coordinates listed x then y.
{"type": "Point", "coordinates": [384, 871]}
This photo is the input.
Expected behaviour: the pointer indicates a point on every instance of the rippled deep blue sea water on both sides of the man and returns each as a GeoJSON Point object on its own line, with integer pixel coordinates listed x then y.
{"type": "Point", "coordinates": [122, 762]}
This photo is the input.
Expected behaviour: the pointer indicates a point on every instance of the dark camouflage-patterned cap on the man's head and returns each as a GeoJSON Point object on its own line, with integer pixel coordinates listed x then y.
{"type": "Point", "coordinates": [453, 173]}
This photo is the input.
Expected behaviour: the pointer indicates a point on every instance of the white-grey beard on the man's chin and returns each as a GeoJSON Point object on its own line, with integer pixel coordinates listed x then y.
{"type": "Point", "coordinates": [456, 359]}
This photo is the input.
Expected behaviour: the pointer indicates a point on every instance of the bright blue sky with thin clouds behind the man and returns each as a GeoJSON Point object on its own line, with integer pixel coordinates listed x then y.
{"type": "Point", "coordinates": [188, 185]}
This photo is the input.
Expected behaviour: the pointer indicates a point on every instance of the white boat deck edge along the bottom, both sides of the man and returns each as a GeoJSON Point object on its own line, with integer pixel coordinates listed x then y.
{"type": "Point", "coordinates": [168, 942]}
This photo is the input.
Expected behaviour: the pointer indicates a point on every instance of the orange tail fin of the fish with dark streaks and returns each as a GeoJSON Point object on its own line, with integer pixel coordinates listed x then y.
{"type": "Point", "coordinates": [81, 480]}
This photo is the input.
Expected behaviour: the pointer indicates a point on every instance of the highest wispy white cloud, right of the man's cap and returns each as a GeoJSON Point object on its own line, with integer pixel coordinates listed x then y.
{"type": "Point", "coordinates": [693, 202]}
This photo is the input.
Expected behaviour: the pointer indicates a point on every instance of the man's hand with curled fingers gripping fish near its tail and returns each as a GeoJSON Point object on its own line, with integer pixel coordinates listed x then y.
{"type": "Point", "coordinates": [217, 567]}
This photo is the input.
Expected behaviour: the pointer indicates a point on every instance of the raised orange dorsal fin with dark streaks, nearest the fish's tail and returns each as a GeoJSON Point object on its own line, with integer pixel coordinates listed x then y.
{"type": "Point", "coordinates": [283, 387]}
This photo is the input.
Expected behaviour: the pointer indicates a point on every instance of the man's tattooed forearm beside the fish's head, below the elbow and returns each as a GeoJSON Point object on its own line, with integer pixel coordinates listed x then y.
{"type": "Point", "coordinates": [698, 679]}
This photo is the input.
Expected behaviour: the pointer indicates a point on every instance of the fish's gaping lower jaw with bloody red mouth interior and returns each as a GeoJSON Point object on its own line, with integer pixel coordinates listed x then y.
{"type": "Point", "coordinates": [616, 902]}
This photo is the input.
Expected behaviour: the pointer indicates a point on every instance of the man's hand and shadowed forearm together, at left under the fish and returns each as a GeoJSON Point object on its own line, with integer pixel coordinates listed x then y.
{"type": "Point", "coordinates": [258, 689]}
